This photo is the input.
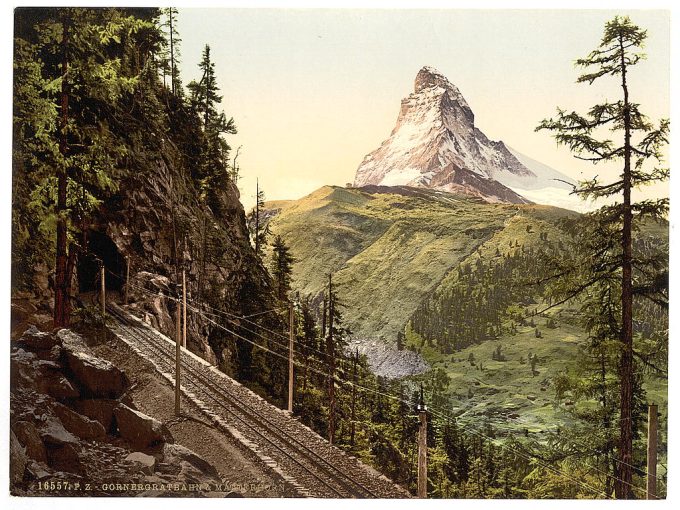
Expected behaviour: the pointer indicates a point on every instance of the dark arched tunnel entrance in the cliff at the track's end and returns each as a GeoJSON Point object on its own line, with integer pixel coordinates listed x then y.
{"type": "Point", "coordinates": [100, 246]}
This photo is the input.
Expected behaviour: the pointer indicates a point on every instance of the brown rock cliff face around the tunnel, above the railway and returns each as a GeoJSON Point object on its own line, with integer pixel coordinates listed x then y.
{"type": "Point", "coordinates": [159, 223]}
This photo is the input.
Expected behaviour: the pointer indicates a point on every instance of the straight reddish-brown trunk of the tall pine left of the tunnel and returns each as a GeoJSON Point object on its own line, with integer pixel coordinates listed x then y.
{"type": "Point", "coordinates": [62, 279]}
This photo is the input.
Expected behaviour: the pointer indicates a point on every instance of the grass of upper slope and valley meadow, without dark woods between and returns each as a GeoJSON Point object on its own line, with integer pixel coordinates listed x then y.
{"type": "Point", "coordinates": [389, 252]}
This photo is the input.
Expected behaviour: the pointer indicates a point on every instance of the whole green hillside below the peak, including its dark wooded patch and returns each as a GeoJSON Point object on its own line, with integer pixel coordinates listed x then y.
{"type": "Point", "coordinates": [452, 273]}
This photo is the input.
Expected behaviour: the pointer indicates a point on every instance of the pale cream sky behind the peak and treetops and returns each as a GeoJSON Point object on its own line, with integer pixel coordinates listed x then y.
{"type": "Point", "coordinates": [313, 91]}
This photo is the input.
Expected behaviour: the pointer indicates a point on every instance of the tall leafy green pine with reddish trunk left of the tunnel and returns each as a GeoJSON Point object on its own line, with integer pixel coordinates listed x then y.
{"type": "Point", "coordinates": [81, 67]}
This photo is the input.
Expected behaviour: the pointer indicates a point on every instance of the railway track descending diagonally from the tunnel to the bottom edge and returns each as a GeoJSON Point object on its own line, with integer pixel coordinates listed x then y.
{"type": "Point", "coordinates": [309, 463]}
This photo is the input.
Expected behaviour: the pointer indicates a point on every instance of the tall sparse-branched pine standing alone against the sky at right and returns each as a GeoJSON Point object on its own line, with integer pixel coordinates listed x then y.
{"type": "Point", "coordinates": [640, 142]}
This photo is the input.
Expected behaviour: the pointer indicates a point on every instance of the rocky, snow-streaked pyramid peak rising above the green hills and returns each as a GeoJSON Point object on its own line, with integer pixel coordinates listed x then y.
{"type": "Point", "coordinates": [436, 144]}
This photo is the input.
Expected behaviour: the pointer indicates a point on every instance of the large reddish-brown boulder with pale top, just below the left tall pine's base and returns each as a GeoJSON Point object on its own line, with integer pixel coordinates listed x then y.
{"type": "Point", "coordinates": [98, 377]}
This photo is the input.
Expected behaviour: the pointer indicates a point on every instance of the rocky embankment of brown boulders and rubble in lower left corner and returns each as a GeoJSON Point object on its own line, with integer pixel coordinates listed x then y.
{"type": "Point", "coordinates": [76, 431]}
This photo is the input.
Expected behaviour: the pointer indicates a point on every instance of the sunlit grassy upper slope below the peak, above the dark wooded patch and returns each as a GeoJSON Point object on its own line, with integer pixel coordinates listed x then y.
{"type": "Point", "coordinates": [389, 251]}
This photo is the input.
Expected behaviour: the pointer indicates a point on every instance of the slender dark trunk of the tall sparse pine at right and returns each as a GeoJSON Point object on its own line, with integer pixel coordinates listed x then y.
{"type": "Point", "coordinates": [624, 485]}
